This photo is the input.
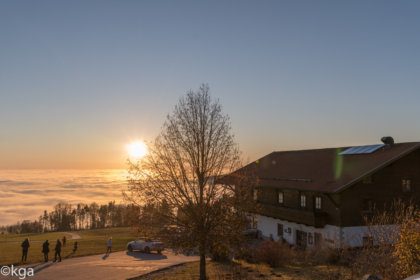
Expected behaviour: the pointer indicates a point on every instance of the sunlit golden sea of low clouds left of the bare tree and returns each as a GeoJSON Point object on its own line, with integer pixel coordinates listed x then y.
{"type": "Point", "coordinates": [25, 194]}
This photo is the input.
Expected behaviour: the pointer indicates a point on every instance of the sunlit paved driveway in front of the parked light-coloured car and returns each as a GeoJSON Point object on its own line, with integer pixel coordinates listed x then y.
{"type": "Point", "coordinates": [118, 265]}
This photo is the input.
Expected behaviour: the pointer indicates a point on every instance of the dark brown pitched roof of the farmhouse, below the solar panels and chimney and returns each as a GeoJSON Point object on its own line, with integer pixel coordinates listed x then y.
{"type": "Point", "coordinates": [323, 169]}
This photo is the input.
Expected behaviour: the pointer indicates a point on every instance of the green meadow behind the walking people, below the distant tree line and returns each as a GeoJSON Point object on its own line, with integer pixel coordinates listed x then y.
{"type": "Point", "coordinates": [91, 242]}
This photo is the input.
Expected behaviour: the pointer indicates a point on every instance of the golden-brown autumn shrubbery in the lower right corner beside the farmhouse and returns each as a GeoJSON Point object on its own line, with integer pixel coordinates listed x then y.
{"type": "Point", "coordinates": [394, 254]}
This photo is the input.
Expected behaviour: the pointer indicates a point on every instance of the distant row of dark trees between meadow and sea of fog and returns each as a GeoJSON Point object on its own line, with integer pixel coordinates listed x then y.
{"type": "Point", "coordinates": [68, 217]}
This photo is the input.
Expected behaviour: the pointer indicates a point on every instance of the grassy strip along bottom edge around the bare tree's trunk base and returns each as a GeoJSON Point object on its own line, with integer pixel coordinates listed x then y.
{"type": "Point", "coordinates": [250, 271]}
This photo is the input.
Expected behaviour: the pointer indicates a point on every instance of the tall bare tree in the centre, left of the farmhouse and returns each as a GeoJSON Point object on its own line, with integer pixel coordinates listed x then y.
{"type": "Point", "coordinates": [182, 171]}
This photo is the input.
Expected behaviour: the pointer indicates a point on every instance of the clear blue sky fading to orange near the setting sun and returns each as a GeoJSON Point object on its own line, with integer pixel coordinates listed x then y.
{"type": "Point", "coordinates": [81, 79]}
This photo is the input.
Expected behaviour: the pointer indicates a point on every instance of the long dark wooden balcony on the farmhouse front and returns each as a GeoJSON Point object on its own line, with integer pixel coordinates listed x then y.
{"type": "Point", "coordinates": [301, 216]}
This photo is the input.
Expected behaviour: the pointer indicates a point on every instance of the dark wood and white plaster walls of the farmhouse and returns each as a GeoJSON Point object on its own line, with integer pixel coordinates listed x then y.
{"type": "Point", "coordinates": [345, 224]}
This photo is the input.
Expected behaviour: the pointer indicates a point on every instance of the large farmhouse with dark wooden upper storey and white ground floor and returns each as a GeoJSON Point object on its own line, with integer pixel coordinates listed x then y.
{"type": "Point", "coordinates": [320, 196]}
